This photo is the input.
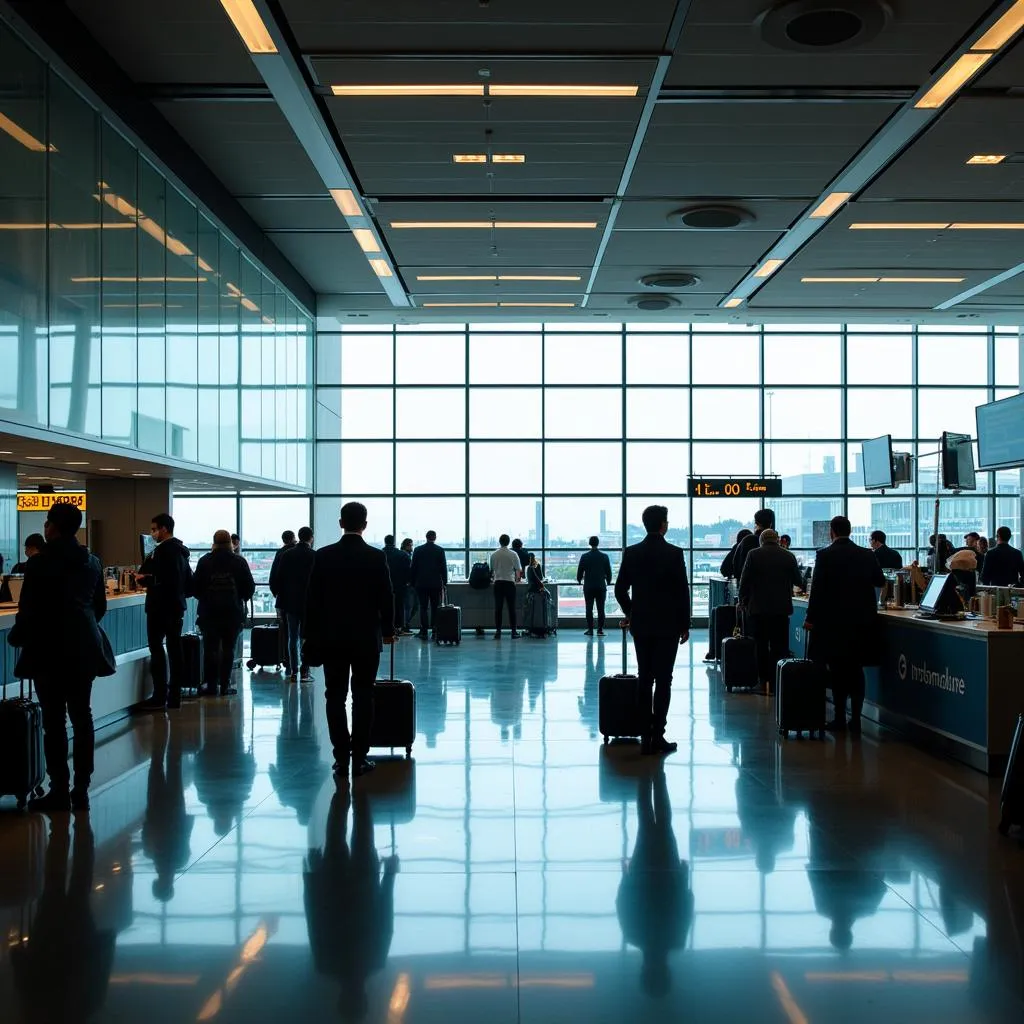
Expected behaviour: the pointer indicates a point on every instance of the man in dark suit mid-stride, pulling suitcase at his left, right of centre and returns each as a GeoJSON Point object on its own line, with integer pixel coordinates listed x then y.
{"type": "Point", "coordinates": [655, 595]}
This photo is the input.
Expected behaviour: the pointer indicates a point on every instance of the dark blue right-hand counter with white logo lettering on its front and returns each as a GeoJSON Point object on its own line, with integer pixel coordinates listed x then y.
{"type": "Point", "coordinates": [954, 687]}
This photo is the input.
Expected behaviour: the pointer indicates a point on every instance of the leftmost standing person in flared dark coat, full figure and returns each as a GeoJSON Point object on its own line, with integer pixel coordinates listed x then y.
{"type": "Point", "coordinates": [64, 651]}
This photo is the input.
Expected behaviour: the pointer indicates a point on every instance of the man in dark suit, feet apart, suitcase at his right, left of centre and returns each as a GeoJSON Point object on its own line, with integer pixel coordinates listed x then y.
{"type": "Point", "coordinates": [350, 617]}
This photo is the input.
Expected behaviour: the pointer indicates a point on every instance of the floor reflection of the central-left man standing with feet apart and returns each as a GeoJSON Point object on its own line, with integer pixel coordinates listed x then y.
{"type": "Point", "coordinates": [350, 905]}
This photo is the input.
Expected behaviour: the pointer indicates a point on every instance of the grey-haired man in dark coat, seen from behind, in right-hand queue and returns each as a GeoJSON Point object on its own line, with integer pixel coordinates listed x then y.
{"type": "Point", "coordinates": [771, 573]}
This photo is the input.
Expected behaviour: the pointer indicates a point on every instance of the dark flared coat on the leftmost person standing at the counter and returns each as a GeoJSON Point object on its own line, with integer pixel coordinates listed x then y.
{"type": "Point", "coordinates": [58, 622]}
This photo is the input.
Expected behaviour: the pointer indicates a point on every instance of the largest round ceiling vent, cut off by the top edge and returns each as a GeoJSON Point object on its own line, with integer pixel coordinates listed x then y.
{"type": "Point", "coordinates": [823, 25]}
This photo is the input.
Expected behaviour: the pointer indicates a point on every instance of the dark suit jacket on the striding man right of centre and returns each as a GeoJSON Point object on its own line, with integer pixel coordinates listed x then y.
{"type": "Point", "coordinates": [653, 589]}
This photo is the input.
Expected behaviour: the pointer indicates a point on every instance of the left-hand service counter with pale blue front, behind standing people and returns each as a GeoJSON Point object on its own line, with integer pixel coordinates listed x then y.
{"type": "Point", "coordinates": [125, 627]}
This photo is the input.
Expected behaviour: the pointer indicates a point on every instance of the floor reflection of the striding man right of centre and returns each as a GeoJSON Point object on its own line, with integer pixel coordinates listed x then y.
{"type": "Point", "coordinates": [655, 903]}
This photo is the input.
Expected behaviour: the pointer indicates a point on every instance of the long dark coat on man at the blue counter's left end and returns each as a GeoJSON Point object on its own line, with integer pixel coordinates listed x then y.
{"type": "Point", "coordinates": [843, 607]}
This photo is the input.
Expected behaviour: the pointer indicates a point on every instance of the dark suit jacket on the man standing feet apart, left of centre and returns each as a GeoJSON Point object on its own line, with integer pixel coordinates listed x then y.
{"type": "Point", "coordinates": [350, 602]}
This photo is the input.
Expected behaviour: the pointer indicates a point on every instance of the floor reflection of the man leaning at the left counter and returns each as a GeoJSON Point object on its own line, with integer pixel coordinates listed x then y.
{"type": "Point", "coordinates": [167, 828]}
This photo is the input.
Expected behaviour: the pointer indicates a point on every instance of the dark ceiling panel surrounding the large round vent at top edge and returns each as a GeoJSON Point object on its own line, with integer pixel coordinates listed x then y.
{"type": "Point", "coordinates": [721, 47]}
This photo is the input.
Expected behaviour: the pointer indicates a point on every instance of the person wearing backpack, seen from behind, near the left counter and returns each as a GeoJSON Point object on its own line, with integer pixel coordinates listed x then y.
{"type": "Point", "coordinates": [224, 584]}
